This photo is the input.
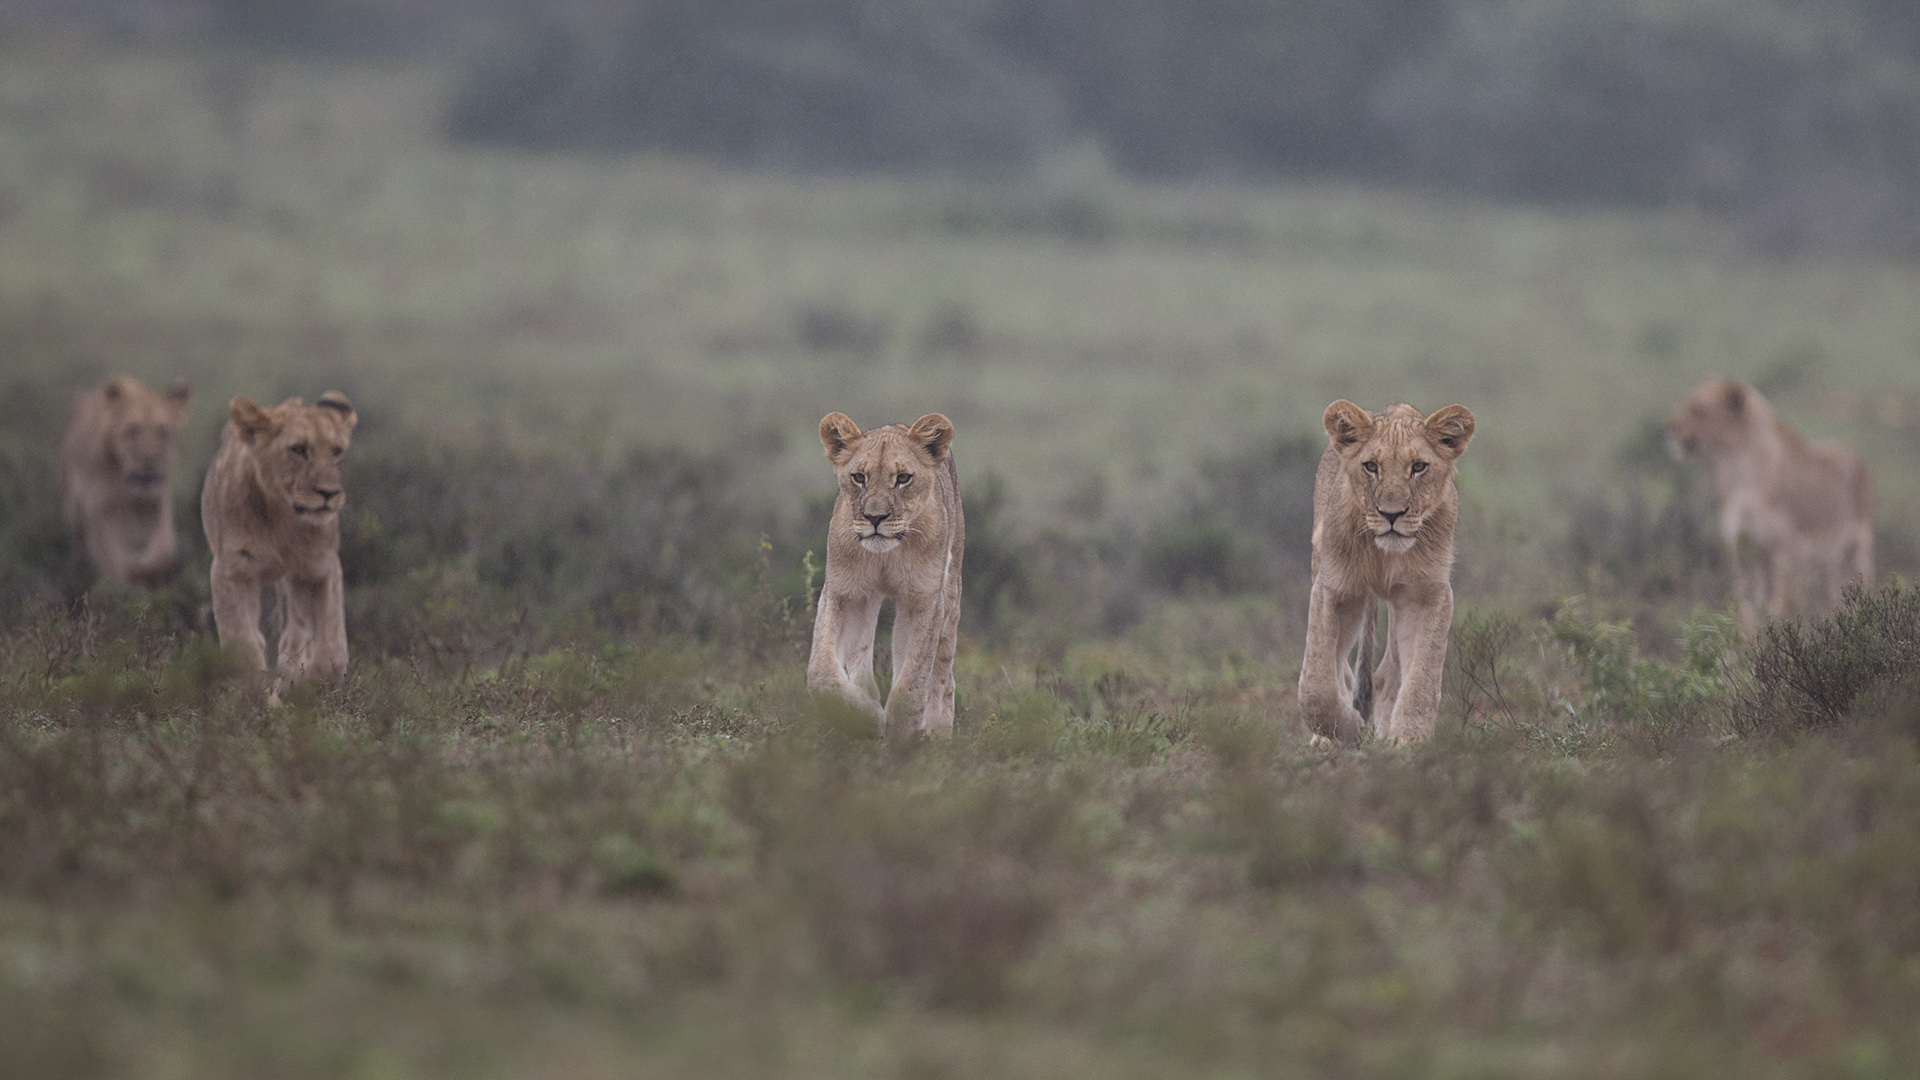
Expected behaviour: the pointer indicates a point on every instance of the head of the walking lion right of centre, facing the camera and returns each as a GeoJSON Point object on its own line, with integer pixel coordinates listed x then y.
{"type": "Point", "coordinates": [1397, 466]}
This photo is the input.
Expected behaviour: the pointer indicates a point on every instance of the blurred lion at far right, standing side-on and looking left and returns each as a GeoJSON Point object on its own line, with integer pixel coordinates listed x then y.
{"type": "Point", "coordinates": [1796, 516]}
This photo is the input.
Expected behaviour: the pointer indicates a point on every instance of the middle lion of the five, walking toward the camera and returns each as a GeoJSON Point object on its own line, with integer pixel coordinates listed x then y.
{"type": "Point", "coordinates": [898, 533]}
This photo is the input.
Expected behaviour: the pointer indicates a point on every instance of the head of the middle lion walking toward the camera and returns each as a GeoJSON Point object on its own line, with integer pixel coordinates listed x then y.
{"type": "Point", "coordinates": [886, 476]}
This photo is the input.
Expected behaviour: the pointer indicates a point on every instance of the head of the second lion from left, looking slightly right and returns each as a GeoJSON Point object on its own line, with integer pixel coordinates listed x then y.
{"type": "Point", "coordinates": [297, 451]}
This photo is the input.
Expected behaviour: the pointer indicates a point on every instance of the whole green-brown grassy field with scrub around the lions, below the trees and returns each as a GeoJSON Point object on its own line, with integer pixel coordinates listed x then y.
{"type": "Point", "coordinates": [575, 816]}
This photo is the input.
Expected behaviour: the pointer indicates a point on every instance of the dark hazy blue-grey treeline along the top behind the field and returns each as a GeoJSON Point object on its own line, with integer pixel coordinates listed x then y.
{"type": "Point", "coordinates": [1800, 118]}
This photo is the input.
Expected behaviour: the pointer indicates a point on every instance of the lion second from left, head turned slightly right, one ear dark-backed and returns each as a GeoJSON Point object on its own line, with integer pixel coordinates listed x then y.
{"type": "Point", "coordinates": [272, 510]}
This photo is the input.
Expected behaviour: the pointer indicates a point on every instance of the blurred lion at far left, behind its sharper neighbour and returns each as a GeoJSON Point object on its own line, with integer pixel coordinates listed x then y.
{"type": "Point", "coordinates": [116, 468]}
